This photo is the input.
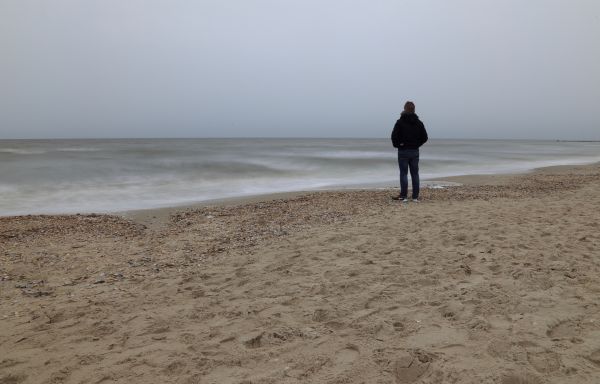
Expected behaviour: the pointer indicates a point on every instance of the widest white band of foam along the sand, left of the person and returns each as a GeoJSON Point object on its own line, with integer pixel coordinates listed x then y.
{"type": "Point", "coordinates": [130, 193]}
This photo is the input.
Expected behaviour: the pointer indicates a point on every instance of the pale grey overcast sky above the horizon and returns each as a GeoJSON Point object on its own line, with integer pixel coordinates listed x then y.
{"type": "Point", "coordinates": [175, 68]}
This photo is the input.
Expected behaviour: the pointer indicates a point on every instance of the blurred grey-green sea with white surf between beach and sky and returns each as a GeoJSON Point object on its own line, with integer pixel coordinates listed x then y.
{"type": "Point", "coordinates": [85, 176]}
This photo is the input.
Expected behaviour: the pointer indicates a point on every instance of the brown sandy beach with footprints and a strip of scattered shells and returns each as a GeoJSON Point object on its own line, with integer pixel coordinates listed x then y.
{"type": "Point", "coordinates": [494, 282]}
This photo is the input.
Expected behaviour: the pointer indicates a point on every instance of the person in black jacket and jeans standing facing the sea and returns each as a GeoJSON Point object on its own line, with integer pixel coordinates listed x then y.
{"type": "Point", "coordinates": [408, 135]}
